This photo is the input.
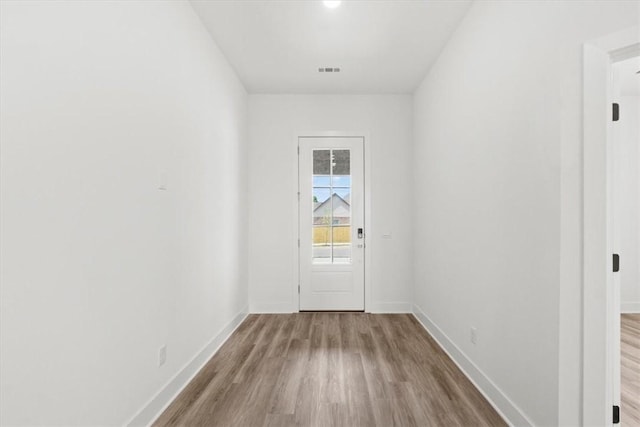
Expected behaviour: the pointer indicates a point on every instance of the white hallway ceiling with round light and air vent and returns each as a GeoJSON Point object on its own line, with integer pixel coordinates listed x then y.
{"type": "Point", "coordinates": [379, 46]}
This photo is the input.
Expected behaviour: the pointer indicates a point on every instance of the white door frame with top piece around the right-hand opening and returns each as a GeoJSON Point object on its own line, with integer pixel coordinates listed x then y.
{"type": "Point", "coordinates": [598, 291]}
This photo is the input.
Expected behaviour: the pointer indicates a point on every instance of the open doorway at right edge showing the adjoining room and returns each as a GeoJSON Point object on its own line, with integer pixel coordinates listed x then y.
{"type": "Point", "coordinates": [626, 234]}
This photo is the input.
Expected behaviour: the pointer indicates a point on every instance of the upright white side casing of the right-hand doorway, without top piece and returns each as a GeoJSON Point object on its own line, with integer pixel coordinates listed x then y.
{"type": "Point", "coordinates": [596, 386]}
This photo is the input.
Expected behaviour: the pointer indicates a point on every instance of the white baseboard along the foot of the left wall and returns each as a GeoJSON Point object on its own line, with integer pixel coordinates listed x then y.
{"type": "Point", "coordinates": [152, 409]}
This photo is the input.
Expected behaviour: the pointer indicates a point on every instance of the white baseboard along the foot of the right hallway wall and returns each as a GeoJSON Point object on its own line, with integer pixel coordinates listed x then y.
{"type": "Point", "coordinates": [501, 403]}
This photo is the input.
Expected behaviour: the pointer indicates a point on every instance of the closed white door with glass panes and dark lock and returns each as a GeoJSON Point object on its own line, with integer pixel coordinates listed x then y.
{"type": "Point", "coordinates": [331, 223]}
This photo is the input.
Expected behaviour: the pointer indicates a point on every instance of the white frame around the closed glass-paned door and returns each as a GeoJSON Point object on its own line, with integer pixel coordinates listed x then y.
{"type": "Point", "coordinates": [367, 210]}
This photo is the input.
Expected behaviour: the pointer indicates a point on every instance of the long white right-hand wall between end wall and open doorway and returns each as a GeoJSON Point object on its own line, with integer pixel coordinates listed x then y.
{"type": "Point", "coordinates": [498, 198]}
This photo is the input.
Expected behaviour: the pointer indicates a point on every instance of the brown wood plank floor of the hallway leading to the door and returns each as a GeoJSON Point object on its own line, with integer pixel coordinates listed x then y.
{"type": "Point", "coordinates": [330, 369]}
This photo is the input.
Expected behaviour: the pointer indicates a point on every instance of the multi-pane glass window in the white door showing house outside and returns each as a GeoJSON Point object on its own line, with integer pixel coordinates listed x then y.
{"type": "Point", "coordinates": [331, 207]}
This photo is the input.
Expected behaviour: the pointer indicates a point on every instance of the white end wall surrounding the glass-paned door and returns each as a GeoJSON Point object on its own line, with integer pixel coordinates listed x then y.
{"type": "Point", "coordinates": [274, 121]}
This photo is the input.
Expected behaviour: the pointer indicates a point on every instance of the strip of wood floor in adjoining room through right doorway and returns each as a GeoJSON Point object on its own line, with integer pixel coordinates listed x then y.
{"type": "Point", "coordinates": [630, 370]}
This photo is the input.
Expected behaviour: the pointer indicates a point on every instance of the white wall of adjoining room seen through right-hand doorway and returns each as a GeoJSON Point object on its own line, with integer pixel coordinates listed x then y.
{"type": "Point", "coordinates": [626, 202]}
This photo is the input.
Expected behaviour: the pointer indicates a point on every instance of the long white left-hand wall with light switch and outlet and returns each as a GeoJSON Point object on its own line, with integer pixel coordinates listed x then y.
{"type": "Point", "coordinates": [99, 267]}
